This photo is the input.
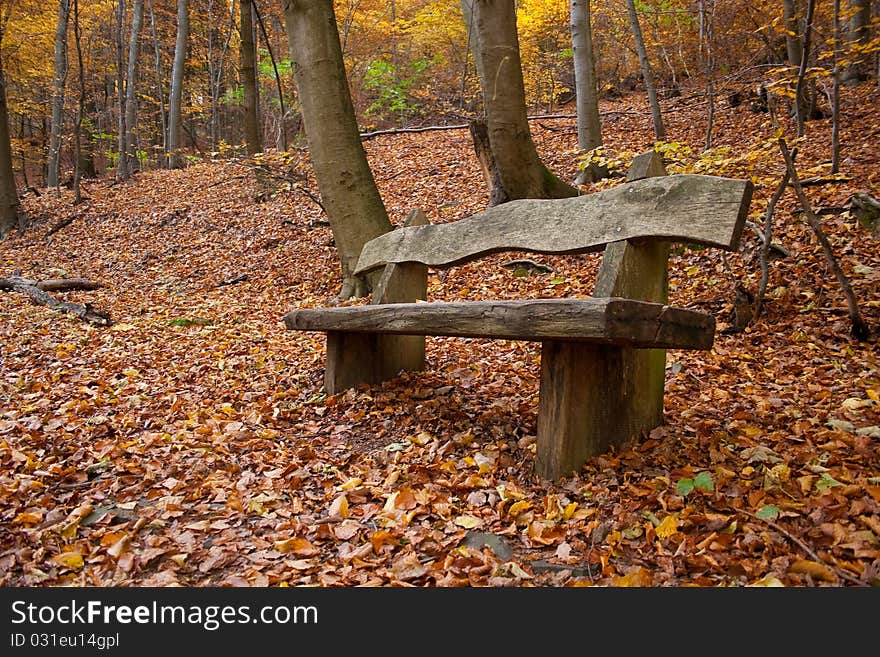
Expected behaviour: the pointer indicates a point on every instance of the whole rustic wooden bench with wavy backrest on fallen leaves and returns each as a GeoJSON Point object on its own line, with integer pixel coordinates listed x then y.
{"type": "Point", "coordinates": [602, 358]}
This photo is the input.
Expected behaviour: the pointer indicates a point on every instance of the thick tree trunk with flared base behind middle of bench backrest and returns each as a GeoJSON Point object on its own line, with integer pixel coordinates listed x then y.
{"type": "Point", "coordinates": [501, 80]}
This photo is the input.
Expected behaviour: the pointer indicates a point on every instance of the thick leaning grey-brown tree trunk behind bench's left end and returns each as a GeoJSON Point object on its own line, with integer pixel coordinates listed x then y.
{"type": "Point", "coordinates": [348, 190]}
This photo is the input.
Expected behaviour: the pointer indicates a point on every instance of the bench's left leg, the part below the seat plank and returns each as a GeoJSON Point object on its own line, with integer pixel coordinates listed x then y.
{"type": "Point", "coordinates": [354, 358]}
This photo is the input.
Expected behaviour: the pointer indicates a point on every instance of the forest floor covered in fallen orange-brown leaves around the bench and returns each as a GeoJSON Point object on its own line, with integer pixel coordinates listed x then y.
{"type": "Point", "coordinates": [189, 443]}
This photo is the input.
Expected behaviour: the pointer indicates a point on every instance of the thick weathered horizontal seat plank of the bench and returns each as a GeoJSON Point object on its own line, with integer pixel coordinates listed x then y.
{"type": "Point", "coordinates": [610, 320]}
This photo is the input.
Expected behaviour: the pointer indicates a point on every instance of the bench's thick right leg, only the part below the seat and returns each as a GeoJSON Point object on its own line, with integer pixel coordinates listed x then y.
{"type": "Point", "coordinates": [593, 397]}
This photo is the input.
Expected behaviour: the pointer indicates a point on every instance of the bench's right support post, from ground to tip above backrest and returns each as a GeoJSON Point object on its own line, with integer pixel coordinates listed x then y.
{"type": "Point", "coordinates": [595, 397]}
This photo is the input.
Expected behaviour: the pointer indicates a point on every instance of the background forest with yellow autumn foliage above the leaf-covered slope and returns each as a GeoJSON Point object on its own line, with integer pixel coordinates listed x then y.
{"type": "Point", "coordinates": [158, 77]}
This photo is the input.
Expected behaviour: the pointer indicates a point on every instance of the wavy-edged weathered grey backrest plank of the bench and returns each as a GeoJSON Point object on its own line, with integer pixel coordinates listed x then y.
{"type": "Point", "coordinates": [689, 208]}
